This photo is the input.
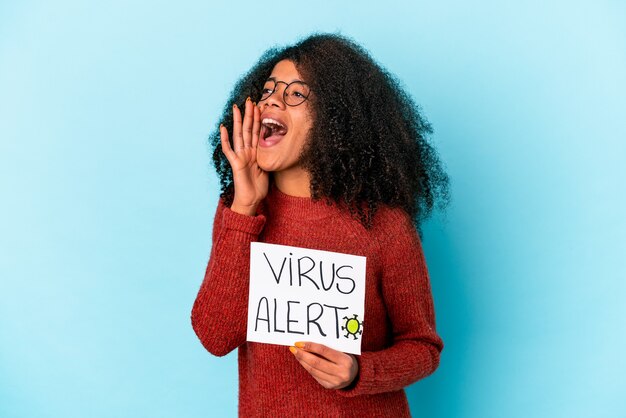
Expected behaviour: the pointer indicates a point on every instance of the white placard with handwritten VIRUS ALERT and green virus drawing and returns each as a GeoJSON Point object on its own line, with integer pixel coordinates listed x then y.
{"type": "Point", "coordinates": [301, 294]}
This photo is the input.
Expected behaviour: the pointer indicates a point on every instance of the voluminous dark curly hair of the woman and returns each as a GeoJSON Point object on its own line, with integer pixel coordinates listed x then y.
{"type": "Point", "coordinates": [367, 145]}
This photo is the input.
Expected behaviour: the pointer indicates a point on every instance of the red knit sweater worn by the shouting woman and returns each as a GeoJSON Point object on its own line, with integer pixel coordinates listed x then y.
{"type": "Point", "coordinates": [399, 345]}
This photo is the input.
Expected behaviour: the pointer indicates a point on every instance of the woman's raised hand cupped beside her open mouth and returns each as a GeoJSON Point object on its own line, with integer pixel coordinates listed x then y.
{"type": "Point", "coordinates": [251, 182]}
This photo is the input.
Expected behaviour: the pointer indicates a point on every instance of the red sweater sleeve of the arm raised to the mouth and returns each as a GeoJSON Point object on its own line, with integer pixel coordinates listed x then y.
{"type": "Point", "coordinates": [219, 312]}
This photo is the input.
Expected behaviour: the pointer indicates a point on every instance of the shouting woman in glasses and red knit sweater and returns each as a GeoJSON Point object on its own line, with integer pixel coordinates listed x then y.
{"type": "Point", "coordinates": [333, 157]}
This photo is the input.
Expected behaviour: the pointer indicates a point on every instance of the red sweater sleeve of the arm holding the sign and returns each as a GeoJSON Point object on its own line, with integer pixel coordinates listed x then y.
{"type": "Point", "coordinates": [414, 353]}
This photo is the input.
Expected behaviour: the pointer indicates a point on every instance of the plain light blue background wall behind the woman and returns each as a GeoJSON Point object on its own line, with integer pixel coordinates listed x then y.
{"type": "Point", "coordinates": [108, 195]}
